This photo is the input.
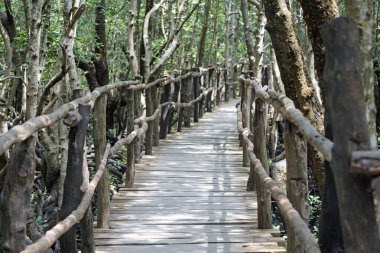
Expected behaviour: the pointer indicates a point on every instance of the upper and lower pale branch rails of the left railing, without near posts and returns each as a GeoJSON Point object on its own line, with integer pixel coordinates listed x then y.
{"type": "Point", "coordinates": [29, 128]}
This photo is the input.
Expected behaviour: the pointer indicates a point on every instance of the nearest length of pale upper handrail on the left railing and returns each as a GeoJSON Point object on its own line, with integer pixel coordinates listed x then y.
{"type": "Point", "coordinates": [22, 132]}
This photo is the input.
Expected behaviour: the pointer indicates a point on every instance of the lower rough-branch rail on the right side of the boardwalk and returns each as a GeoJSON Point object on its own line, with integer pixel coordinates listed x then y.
{"type": "Point", "coordinates": [291, 216]}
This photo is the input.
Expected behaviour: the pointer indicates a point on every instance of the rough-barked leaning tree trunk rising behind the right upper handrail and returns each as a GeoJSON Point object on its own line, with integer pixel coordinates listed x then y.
{"type": "Point", "coordinates": [297, 83]}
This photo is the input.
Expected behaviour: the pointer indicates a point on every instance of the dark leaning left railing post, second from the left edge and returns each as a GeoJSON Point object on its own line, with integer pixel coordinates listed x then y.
{"type": "Point", "coordinates": [74, 175]}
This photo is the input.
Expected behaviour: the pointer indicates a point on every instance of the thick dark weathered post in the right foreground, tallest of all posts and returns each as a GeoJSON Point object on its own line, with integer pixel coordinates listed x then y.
{"type": "Point", "coordinates": [346, 104]}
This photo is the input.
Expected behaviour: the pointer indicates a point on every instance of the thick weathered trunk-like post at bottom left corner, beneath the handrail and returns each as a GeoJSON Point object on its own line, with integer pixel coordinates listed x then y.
{"type": "Point", "coordinates": [15, 196]}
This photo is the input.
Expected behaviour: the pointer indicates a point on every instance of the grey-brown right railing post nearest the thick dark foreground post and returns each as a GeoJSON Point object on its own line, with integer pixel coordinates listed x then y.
{"type": "Point", "coordinates": [296, 180]}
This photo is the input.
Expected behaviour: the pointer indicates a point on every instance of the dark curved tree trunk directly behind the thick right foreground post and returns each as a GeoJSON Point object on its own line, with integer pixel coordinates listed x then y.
{"type": "Point", "coordinates": [316, 13]}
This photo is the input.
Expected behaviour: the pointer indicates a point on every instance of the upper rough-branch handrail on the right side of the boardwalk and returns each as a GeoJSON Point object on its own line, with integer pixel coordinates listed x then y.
{"type": "Point", "coordinates": [286, 107]}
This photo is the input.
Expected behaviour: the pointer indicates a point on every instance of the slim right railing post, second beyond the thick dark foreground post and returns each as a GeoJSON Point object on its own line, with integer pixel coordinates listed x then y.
{"type": "Point", "coordinates": [259, 142]}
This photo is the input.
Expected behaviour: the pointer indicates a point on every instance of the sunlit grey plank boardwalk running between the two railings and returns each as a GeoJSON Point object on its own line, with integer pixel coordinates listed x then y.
{"type": "Point", "coordinates": [190, 197]}
